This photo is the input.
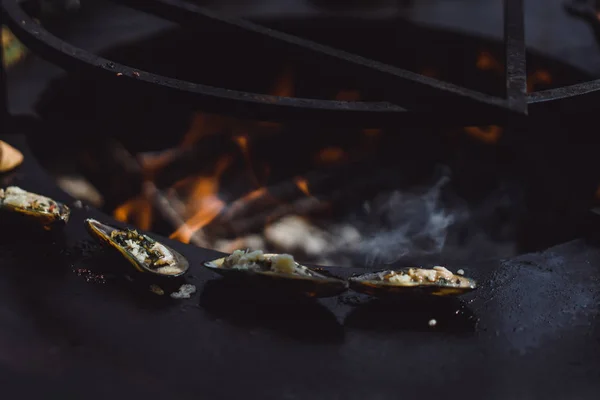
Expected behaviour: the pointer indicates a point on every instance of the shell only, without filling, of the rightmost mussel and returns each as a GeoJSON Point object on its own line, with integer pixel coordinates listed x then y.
{"type": "Point", "coordinates": [378, 284]}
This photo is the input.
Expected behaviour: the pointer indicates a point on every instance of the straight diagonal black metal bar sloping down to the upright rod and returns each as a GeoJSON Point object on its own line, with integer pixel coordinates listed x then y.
{"type": "Point", "coordinates": [406, 88]}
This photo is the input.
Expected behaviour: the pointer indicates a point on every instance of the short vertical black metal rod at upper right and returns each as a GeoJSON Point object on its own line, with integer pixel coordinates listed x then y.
{"type": "Point", "coordinates": [516, 69]}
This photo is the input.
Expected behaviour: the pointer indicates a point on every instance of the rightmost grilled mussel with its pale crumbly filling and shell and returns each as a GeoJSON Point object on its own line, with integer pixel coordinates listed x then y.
{"type": "Point", "coordinates": [437, 281]}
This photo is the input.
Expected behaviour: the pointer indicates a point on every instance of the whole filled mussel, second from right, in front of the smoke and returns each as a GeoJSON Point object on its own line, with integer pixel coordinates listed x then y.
{"type": "Point", "coordinates": [276, 271]}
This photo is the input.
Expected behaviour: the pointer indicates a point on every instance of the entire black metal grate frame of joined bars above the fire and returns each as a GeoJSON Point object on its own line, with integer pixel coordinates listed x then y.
{"type": "Point", "coordinates": [410, 98]}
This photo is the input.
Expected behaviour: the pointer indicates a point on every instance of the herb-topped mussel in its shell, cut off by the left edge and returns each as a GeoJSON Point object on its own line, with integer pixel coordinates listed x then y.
{"type": "Point", "coordinates": [43, 209]}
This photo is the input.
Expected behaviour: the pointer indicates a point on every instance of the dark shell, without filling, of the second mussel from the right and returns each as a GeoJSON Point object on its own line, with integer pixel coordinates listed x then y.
{"type": "Point", "coordinates": [305, 282]}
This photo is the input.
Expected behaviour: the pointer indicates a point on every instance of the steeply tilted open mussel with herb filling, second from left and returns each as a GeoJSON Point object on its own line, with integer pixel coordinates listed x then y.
{"type": "Point", "coordinates": [144, 253]}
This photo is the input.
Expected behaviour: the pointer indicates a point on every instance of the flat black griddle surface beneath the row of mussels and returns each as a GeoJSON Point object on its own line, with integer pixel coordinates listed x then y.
{"type": "Point", "coordinates": [531, 331]}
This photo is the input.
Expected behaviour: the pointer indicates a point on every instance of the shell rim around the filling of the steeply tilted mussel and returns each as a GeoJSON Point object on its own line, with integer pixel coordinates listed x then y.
{"type": "Point", "coordinates": [102, 233]}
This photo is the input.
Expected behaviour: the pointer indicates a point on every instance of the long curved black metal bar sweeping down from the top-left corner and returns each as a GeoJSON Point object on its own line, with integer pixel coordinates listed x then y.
{"type": "Point", "coordinates": [48, 46]}
